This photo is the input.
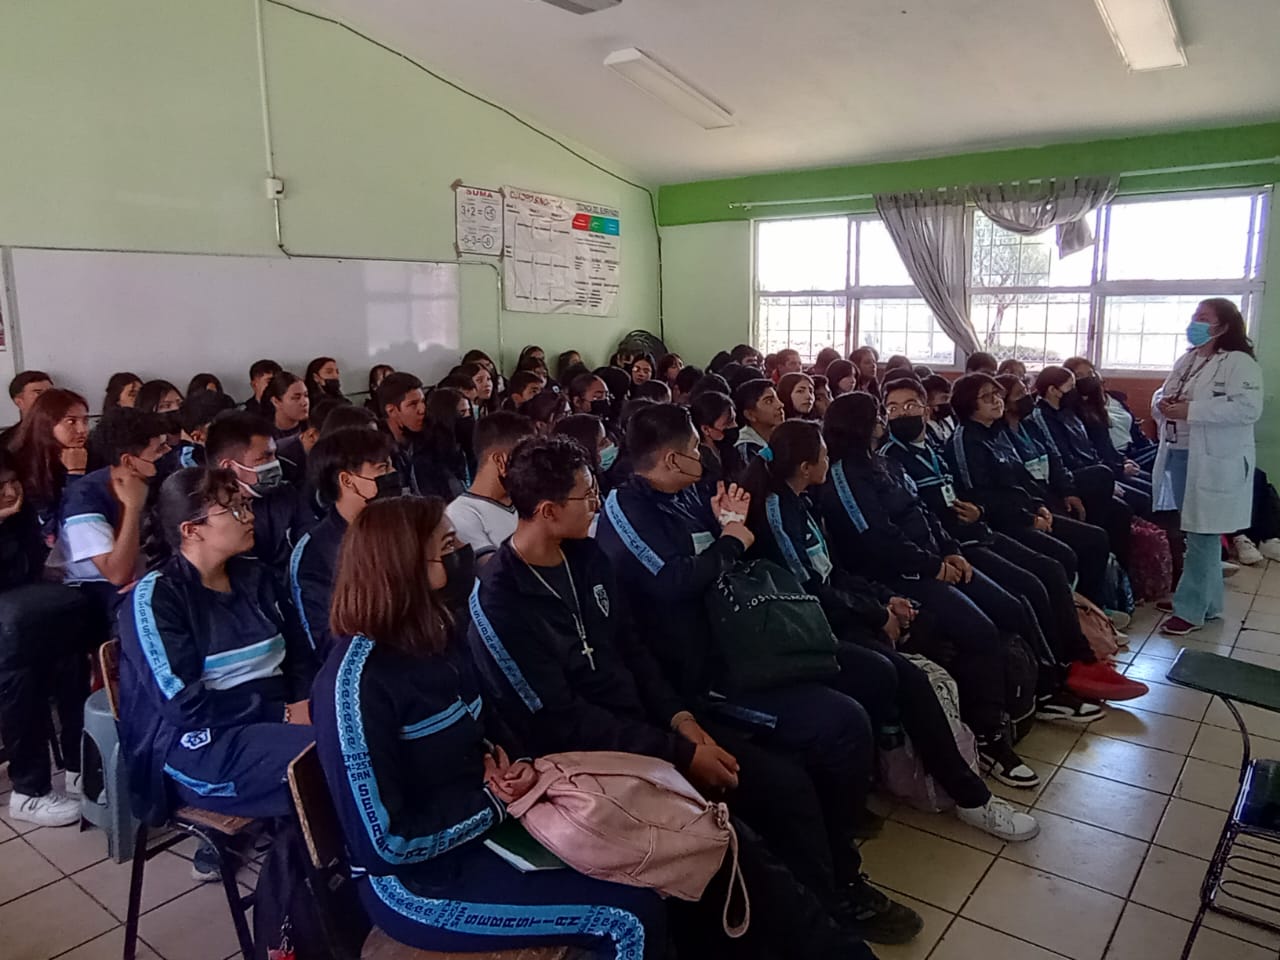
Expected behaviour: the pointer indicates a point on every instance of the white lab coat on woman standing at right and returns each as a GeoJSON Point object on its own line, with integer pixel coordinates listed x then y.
{"type": "Point", "coordinates": [1226, 404]}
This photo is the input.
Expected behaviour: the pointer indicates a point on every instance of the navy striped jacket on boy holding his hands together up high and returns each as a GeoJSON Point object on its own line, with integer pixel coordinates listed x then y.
{"type": "Point", "coordinates": [668, 554]}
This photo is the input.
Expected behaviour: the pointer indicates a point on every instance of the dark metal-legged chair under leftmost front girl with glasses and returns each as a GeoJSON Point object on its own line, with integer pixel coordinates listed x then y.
{"type": "Point", "coordinates": [213, 829]}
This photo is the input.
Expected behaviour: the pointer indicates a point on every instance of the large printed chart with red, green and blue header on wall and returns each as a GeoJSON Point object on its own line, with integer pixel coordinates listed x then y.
{"type": "Point", "coordinates": [560, 257]}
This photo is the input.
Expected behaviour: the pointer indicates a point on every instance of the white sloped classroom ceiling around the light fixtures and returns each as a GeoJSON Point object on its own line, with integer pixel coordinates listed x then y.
{"type": "Point", "coordinates": [825, 83]}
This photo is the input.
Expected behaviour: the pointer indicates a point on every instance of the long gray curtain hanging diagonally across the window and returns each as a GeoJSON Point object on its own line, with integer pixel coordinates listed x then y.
{"type": "Point", "coordinates": [930, 232]}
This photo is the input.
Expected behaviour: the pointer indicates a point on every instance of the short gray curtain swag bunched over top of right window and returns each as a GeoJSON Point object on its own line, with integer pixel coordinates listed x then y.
{"type": "Point", "coordinates": [1034, 208]}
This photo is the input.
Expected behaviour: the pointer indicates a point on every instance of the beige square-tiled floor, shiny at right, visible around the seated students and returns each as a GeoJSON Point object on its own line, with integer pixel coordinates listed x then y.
{"type": "Point", "coordinates": [1130, 813]}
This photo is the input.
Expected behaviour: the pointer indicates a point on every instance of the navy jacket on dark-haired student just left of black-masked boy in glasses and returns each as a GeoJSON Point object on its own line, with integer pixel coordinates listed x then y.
{"type": "Point", "coordinates": [879, 524]}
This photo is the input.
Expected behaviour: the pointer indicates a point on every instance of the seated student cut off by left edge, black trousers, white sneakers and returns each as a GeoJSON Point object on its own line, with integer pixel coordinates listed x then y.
{"type": "Point", "coordinates": [48, 633]}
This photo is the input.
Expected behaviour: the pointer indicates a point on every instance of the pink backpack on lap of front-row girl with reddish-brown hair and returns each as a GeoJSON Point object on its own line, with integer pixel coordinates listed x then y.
{"type": "Point", "coordinates": [632, 820]}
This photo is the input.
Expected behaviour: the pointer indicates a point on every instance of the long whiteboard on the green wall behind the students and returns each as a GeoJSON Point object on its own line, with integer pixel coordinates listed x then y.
{"type": "Point", "coordinates": [84, 316]}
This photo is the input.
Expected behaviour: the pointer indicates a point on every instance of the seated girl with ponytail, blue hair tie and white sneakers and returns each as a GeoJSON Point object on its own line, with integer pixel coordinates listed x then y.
{"type": "Point", "coordinates": [890, 687]}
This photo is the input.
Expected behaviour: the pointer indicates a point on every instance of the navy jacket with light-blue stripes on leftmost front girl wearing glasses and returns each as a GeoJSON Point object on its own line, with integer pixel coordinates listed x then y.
{"type": "Point", "coordinates": [196, 662]}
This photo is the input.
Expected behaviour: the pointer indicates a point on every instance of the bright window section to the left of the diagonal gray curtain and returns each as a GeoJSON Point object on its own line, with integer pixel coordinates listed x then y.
{"type": "Point", "coordinates": [839, 282]}
